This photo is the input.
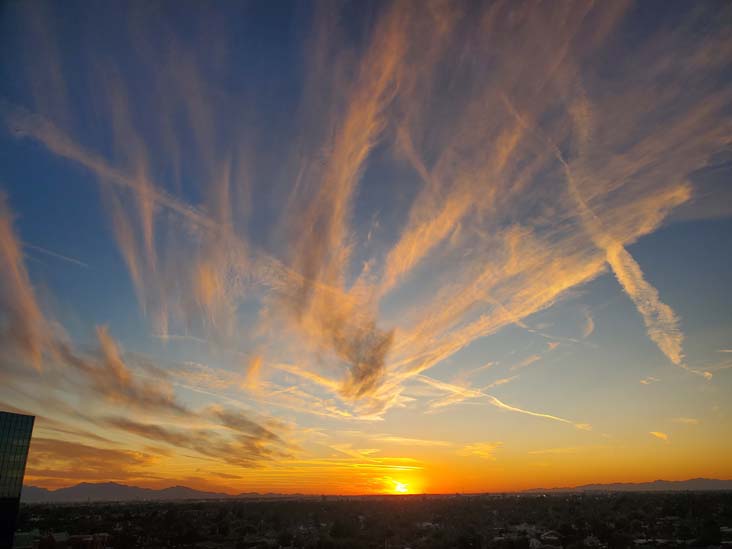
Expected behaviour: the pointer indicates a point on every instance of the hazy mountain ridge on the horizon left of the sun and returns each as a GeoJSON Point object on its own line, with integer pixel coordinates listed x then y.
{"type": "Point", "coordinates": [113, 491]}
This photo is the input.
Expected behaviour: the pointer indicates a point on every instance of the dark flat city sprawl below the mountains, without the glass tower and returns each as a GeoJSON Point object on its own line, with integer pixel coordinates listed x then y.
{"type": "Point", "coordinates": [470, 521]}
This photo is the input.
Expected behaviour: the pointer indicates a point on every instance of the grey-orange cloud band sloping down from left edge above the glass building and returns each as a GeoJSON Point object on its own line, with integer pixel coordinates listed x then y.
{"type": "Point", "coordinates": [104, 374]}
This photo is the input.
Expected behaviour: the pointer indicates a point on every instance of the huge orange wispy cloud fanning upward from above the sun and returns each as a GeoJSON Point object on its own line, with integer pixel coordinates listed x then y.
{"type": "Point", "coordinates": [390, 91]}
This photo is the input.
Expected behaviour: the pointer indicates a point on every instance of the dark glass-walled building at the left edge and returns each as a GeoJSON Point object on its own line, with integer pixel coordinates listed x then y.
{"type": "Point", "coordinates": [15, 434]}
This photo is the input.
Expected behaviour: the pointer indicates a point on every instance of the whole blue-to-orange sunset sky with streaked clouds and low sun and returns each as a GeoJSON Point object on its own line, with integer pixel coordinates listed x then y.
{"type": "Point", "coordinates": [367, 247]}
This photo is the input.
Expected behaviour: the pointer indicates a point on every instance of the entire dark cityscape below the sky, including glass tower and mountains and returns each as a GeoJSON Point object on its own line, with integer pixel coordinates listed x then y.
{"type": "Point", "coordinates": [695, 513]}
